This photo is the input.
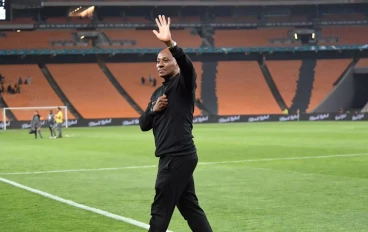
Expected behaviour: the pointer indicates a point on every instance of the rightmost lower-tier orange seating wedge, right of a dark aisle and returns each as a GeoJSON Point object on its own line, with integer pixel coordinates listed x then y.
{"type": "Point", "coordinates": [326, 73]}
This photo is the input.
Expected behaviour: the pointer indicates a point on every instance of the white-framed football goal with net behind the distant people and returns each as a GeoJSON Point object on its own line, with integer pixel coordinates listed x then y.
{"type": "Point", "coordinates": [27, 113]}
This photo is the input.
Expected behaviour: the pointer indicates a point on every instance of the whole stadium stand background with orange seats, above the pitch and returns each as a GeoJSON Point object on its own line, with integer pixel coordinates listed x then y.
{"type": "Point", "coordinates": [256, 60]}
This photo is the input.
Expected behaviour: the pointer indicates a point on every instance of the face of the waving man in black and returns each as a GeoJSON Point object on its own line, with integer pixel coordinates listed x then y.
{"type": "Point", "coordinates": [166, 64]}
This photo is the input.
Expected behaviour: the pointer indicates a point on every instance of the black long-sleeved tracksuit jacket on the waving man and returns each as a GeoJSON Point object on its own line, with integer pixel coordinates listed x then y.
{"type": "Point", "coordinates": [172, 128]}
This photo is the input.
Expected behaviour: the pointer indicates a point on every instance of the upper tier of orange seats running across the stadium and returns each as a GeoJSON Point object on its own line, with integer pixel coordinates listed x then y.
{"type": "Point", "coordinates": [130, 38]}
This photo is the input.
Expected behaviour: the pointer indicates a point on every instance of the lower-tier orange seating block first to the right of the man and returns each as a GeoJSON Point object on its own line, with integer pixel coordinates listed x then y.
{"type": "Point", "coordinates": [242, 89]}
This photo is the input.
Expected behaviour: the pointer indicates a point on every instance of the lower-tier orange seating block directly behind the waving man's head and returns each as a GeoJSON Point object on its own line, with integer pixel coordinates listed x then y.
{"type": "Point", "coordinates": [129, 76]}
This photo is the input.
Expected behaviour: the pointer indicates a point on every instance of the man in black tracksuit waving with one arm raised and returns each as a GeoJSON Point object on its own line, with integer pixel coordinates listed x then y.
{"type": "Point", "coordinates": [170, 115]}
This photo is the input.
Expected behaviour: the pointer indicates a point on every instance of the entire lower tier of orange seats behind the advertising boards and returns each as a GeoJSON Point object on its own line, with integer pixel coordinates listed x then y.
{"type": "Point", "coordinates": [241, 88]}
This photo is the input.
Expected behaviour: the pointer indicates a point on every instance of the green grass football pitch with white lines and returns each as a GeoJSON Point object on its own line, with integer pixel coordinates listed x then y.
{"type": "Point", "coordinates": [262, 193]}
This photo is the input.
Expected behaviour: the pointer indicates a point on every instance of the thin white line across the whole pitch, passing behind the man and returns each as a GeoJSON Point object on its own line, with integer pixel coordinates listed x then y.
{"type": "Point", "coordinates": [200, 163]}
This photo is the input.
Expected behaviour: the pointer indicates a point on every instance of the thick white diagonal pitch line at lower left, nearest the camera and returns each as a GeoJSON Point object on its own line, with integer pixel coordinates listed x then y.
{"type": "Point", "coordinates": [80, 206]}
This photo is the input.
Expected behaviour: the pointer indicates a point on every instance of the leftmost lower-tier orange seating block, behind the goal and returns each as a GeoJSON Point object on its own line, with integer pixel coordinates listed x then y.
{"type": "Point", "coordinates": [37, 94]}
